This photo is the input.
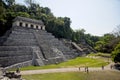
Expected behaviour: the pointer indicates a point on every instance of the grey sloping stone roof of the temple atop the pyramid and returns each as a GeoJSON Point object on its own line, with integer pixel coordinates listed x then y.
{"type": "Point", "coordinates": [19, 18]}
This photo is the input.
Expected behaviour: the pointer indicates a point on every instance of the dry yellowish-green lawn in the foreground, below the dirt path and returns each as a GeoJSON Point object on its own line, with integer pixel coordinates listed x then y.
{"type": "Point", "coordinates": [101, 75]}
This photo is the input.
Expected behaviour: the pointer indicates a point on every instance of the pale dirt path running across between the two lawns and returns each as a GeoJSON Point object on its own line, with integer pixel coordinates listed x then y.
{"type": "Point", "coordinates": [61, 70]}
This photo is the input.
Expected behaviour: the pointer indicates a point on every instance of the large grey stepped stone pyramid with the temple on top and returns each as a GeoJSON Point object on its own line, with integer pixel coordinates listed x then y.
{"type": "Point", "coordinates": [28, 43]}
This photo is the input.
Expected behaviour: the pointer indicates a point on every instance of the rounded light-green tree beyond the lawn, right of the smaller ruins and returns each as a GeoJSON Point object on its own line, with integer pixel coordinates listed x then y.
{"type": "Point", "coordinates": [106, 43]}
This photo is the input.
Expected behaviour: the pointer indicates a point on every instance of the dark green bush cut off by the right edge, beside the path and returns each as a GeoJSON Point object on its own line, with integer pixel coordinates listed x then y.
{"type": "Point", "coordinates": [116, 53]}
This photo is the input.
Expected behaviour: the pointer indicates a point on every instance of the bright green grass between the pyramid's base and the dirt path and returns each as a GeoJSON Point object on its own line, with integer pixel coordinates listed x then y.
{"type": "Point", "coordinates": [78, 62]}
